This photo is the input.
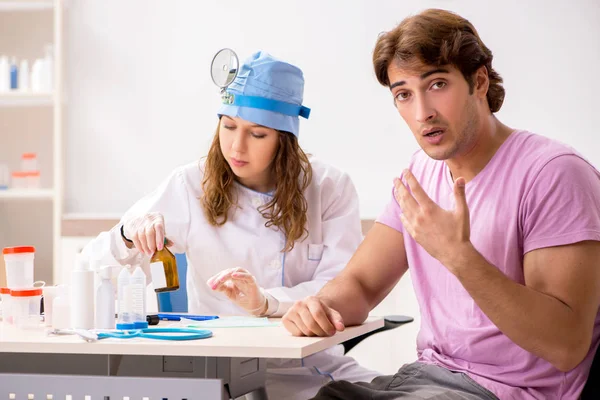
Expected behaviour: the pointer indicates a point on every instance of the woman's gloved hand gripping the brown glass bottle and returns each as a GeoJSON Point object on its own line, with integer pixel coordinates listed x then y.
{"type": "Point", "coordinates": [147, 232]}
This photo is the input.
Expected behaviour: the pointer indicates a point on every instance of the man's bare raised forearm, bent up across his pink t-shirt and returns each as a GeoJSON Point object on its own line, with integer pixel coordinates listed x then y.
{"type": "Point", "coordinates": [537, 322]}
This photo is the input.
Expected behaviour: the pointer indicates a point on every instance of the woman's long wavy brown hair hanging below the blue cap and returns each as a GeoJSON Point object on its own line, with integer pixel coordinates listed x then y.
{"type": "Point", "coordinates": [286, 211]}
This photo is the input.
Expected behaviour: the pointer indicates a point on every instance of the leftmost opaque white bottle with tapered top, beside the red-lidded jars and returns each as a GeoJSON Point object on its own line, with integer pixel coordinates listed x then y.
{"type": "Point", "coordinates": [82, 295]}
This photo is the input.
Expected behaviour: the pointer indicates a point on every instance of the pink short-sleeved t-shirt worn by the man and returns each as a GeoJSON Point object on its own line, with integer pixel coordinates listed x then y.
{"type": "Point", "coordinates": [534, 193]}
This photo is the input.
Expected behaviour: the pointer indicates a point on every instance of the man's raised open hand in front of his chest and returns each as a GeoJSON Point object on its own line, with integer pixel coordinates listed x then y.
{"type": "Point", "coordinates": [444, 234]}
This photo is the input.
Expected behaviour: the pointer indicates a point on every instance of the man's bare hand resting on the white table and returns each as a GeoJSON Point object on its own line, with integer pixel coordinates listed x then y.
{"type": "Point", "coordinates": [312, 317]}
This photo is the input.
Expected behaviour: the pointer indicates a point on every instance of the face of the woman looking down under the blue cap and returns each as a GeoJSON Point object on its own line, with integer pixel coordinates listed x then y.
{"type": "Point", "coordinates": [249, 149]}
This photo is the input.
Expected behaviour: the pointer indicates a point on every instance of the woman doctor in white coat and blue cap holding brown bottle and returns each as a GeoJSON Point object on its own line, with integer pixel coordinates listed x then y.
{"type": "Point", "coordinates": [261, 225]}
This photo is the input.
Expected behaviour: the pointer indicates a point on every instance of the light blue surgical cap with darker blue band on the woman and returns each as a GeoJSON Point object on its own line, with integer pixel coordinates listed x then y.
{"type": "Point", "coordinates": [264, 84]}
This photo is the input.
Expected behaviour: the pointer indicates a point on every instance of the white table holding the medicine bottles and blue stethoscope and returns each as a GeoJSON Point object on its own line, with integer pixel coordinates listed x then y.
{"type": "Point", "coordinates": [229, 364]}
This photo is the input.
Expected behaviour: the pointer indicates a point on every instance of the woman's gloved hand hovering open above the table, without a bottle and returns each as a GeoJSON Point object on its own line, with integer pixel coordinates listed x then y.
{"type": "Point", "coordinates": [240, 287]}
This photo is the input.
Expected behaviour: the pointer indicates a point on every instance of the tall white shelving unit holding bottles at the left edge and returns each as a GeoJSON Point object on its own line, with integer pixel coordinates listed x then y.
{"type": "Point", "coordinates": [36, 126]}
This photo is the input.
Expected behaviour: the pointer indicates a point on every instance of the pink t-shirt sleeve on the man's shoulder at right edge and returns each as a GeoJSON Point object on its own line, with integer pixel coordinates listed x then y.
{"type": "Point", "coordinates": [562, 205]}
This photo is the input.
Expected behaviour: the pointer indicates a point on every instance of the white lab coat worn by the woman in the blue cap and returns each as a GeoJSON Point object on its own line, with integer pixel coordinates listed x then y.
{"type": "Point", "coordinates": [334, 233]}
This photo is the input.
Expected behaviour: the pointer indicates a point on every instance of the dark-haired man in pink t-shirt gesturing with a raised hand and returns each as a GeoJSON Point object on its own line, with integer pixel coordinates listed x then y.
{"type": "Point", "coordinates": [500, 228]}
